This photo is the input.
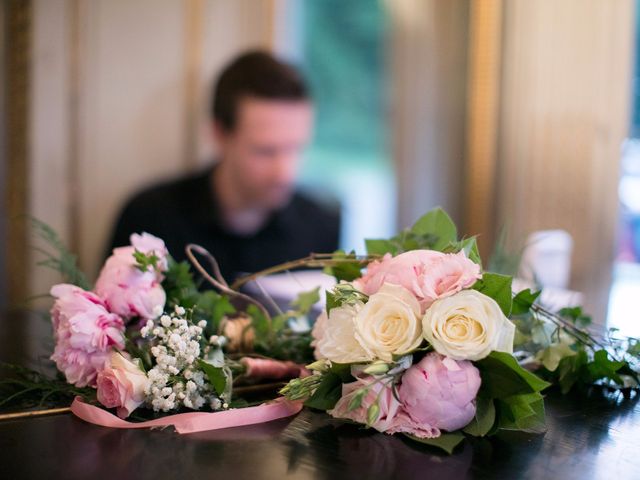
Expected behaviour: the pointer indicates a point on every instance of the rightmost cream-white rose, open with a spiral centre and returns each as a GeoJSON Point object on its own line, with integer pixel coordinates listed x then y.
{"type": "Point", "coordinates": [468, 326]}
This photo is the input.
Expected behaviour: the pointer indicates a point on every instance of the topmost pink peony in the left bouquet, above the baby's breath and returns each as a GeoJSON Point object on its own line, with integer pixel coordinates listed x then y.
{"type": "Point", "coordinates": [126, 289]}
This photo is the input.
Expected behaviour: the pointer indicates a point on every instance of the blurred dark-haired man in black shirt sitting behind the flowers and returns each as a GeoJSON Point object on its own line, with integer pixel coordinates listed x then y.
{"type": "Point", "coordinates": [244, 209]}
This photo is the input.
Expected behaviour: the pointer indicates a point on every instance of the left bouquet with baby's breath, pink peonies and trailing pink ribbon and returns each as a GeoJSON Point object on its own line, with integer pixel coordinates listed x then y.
{"type": "Point", "coordinates": [146, 339]}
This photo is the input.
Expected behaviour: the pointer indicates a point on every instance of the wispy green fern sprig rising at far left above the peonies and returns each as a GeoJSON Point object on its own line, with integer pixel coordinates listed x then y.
{"type": "Point", "coordinates": [61, 260]}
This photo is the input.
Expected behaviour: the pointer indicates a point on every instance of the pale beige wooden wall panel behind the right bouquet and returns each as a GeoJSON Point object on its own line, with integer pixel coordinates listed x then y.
{"type": "Point", "coordinates": [564, 115]}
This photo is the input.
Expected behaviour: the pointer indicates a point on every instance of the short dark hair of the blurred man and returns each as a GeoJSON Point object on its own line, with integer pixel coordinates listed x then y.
{"type": "Point", "coordinates": [254, 74]}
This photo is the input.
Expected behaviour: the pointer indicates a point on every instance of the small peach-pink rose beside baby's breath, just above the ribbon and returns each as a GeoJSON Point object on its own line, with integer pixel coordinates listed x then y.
{"type": "Point", "coordinates": [121, 385]}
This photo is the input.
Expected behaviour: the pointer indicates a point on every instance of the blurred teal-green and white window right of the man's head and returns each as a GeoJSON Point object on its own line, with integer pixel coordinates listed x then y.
{"type": "Point", "coordinates": [344, 58]}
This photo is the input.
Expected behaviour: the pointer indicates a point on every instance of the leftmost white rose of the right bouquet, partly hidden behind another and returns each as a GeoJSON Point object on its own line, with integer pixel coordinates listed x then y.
{"type": "Point", "coordinates": [335, 336]}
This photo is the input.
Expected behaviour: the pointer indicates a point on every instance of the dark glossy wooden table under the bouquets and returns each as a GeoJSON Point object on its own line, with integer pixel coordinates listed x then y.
{"type": "Point", "coordinates": [588, 437]}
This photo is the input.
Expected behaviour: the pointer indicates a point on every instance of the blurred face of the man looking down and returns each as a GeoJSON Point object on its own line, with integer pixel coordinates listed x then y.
{"type": "Point", "coordinates": [264, 150]}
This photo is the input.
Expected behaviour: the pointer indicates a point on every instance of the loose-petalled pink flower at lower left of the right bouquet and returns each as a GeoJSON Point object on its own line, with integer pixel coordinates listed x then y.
{"type": "Point", "coordinates": [392, 417]}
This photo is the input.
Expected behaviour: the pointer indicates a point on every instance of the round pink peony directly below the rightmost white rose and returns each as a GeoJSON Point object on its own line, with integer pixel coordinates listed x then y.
{"type": "Point", "coordinates": [441, 392]}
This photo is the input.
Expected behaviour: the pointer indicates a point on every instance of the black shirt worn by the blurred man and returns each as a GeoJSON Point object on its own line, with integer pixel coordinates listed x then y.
{"type": "Point", "coordinates": [185, 211]}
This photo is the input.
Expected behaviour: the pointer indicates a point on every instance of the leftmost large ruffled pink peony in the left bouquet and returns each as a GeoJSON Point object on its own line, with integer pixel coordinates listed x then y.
{"type": "Point", "coordinates": [85, 332]}
